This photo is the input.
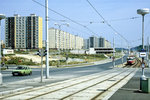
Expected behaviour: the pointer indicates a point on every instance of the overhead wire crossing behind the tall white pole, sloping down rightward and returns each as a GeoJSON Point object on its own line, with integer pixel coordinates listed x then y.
{"type": "Point", "coordinates": [66, 17]}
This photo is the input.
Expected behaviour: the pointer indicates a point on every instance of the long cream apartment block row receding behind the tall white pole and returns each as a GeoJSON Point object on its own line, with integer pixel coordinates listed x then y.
{"type": "Point", "coordinates": [59, 39]}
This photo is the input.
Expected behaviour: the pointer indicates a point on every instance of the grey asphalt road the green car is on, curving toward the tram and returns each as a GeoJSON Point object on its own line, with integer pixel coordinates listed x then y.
{"type": "Point", "coordinates": [67, 73]}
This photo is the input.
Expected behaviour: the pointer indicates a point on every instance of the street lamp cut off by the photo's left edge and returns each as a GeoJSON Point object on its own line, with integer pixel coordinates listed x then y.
{"type": "Point", "coordinates": [1, 17]}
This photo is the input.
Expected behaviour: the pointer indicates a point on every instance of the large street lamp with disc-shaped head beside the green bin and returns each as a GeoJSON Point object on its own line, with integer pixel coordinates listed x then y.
{"type": "Point", "coordinates": [142, 12]}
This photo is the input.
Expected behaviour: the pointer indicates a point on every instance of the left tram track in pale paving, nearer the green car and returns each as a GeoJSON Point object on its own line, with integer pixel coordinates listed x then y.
{"type": "Point", "coordinates": [87, 82]}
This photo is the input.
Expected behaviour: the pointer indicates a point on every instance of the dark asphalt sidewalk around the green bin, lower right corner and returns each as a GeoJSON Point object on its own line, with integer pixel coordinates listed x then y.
{"type": "Point", "coordinates": [131, 91]}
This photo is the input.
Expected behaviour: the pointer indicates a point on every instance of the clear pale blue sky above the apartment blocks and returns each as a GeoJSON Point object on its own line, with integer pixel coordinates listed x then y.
{"type": "Point", "coordinates": [120, 14]}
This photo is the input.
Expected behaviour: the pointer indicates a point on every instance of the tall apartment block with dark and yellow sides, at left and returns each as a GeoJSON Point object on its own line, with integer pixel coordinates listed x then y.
{"type": "Point", "coordinates": [23, 32]}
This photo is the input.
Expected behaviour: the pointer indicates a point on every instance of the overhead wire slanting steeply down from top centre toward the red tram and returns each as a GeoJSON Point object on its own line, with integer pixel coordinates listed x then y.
{"type": "Point", "coordinates": [105, 21]}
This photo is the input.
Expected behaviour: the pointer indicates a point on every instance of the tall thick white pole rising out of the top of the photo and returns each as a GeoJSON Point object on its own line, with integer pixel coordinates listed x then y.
{"type": "Point", "coordinates": [47, 42]}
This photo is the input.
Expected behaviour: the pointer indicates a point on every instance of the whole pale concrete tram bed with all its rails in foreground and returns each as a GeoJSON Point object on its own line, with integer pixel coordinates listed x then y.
{"type": "Point", "coordinates": [96, 86]}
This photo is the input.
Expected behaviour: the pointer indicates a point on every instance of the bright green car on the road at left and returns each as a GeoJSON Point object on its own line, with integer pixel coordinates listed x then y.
{"type": "Point", "coordinates": [22, 70]}
